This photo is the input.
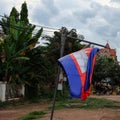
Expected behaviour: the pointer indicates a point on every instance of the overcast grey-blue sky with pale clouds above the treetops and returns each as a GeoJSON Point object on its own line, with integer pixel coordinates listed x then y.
{"type": "Point", "coordinates": [97, 20]}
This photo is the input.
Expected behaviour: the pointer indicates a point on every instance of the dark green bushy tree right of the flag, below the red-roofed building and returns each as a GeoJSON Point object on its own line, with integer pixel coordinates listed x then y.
{"type": "Point", "coordinates": [106, 68]}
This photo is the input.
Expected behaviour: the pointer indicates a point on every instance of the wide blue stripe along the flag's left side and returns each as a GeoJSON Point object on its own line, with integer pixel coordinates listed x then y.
{"type": "Point", "coordinates": [73, 76]}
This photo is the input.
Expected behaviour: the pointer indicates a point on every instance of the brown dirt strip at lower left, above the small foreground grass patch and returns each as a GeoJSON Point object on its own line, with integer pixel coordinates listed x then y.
{"type": "Point", "coordinates": [16, 112]}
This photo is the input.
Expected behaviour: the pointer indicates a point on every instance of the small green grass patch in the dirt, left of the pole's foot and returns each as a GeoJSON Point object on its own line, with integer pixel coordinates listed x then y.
{"type": "Point", "coordinates": [33, 115]}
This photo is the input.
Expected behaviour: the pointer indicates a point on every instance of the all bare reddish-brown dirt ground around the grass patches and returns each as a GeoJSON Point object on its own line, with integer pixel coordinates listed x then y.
{"type": "Point", "coordinates": [66, 114]}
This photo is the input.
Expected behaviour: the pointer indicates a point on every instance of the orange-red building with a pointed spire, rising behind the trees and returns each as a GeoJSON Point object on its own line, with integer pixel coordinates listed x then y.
{"type": "Point", "coordinates": [107, 51]}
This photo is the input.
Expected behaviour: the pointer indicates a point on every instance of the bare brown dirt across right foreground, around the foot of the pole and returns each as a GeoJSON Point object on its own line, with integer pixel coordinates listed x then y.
{"type": "Point", "coordinates": [80, 114]}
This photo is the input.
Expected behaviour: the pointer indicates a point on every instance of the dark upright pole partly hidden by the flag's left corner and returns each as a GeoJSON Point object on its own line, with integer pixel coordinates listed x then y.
{"type": "Point", "coordinates": [63, 39]}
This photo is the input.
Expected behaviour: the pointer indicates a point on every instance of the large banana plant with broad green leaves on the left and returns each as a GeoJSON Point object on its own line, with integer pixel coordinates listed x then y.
{"type": "Point", "coordinates": [14, 47]}
